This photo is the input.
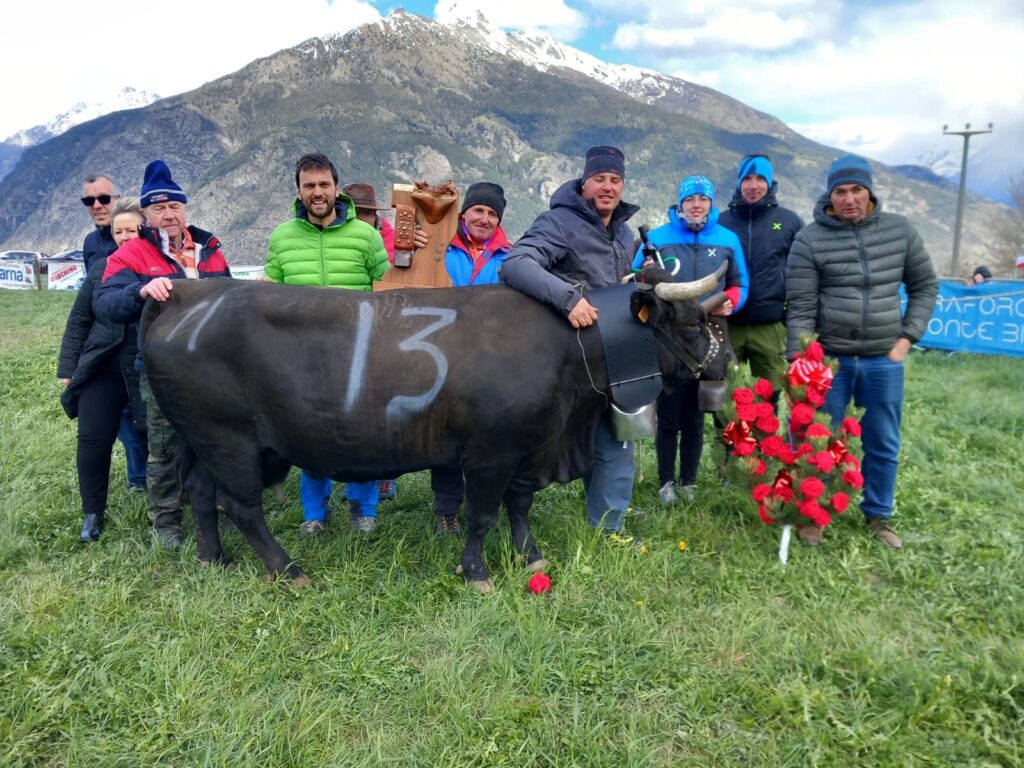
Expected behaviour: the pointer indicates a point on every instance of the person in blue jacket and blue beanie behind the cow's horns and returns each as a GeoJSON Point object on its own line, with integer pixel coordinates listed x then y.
{"type": "Point", "coordinates": [693, 246]}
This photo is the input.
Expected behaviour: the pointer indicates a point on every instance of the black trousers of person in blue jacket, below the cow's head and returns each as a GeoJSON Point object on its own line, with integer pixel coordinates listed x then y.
{"type": "Point", "coordinates": [680, 426]}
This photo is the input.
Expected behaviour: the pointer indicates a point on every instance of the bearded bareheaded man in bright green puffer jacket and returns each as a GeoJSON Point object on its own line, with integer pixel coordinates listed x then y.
{"type": "Point", "coordinates": [326, 245]}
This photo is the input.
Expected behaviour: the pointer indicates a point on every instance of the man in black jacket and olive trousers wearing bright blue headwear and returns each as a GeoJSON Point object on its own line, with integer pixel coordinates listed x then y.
{"type": "Point", "coordinates": [766, 232]}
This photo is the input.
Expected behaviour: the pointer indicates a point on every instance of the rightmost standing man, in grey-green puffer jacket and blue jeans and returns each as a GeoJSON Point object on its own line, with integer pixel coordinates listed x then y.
{"type": "Point", "coordinates": [843, 282]}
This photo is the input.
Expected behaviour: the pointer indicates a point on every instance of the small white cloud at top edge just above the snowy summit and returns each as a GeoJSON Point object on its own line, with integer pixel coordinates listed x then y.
{"type": "Point", "coordinates": [552, 17]}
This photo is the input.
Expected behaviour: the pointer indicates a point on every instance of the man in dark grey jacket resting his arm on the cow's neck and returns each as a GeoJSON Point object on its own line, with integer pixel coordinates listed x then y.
{"type": "Point", "coordinates": [584, 242]}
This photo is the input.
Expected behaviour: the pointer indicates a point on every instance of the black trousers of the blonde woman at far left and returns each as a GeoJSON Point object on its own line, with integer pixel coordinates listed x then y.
{"type": "Point", "coordinates": [101, 404]}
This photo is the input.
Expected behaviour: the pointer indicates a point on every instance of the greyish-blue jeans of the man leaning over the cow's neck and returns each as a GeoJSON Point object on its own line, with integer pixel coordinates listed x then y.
{"type": "Point", "coordinates": [610, 484]}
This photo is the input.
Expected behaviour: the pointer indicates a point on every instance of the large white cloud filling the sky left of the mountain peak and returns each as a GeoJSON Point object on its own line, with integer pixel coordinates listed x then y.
{"type": "Point", "coordinates": [56, 54]}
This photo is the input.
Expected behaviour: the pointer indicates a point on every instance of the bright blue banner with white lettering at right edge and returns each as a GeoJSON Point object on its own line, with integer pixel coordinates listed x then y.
{"type": "Point", "coordinates": [988, 318]}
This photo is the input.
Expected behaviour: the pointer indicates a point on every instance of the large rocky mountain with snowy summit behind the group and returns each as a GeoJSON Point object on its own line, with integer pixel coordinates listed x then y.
{"type": "Point", "coordinates": [407, 99]}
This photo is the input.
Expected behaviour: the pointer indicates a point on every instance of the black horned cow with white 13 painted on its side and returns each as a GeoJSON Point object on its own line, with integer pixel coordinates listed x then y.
{"type": "Point", "coordinates": [259, 377]}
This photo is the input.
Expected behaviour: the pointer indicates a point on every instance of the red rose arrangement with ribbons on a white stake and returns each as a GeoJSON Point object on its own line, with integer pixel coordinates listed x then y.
{"type": "Point", "coordinates": [802, 473]}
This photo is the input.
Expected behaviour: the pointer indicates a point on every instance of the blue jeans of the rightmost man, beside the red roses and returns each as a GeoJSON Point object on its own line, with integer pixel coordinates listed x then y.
{"type": "Point", "coordinates": [875, 385]}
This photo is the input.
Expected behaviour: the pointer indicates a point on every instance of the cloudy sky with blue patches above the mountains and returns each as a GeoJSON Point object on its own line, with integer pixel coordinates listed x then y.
{"type": "Point", "coordinates": [879, 78]}
